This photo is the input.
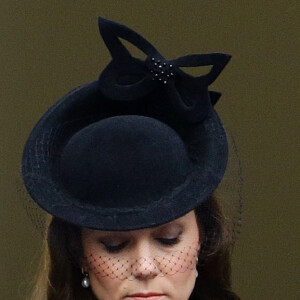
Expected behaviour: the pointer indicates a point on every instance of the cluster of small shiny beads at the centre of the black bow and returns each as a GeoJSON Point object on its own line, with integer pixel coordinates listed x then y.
{"type": "Point", "coordinates": [161, 70]}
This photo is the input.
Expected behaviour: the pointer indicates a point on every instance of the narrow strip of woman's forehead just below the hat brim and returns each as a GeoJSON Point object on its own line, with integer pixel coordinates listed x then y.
{"type": "Point", "coordinates": [179, 223]}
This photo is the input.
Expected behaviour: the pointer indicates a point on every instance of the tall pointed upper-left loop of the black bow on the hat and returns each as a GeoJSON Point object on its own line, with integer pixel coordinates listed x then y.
{"type": "Point", "coordinates": [111, 32]}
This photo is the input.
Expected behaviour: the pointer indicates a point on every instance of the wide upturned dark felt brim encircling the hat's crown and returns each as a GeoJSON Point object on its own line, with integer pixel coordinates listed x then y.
{"type": "Point", "coordinates": [206, 144]}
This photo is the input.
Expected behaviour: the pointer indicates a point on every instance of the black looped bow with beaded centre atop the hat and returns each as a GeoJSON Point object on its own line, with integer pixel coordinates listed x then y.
{"type": "Point", "coordinates": [129, 78]}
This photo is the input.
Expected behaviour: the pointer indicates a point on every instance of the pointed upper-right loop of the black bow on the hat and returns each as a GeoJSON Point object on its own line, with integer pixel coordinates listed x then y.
{"type": "Point", "coordinates": [218, 61]}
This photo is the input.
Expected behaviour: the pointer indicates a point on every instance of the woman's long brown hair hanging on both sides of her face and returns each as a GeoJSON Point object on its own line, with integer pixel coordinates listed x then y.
{"type": "Point", "coordinates": [59, 276]}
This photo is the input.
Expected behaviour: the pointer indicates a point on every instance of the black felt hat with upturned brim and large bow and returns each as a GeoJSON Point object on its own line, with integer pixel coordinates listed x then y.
{"type": "Point", "coordinates": [139, 147]}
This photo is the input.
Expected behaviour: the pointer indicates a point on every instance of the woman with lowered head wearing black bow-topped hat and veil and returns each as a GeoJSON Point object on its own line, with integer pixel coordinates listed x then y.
{"type": "Point", "coordinates": [128, 166]}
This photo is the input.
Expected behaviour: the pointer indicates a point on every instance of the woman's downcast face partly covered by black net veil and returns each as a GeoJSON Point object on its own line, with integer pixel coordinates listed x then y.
{"type": "Point", "coordinates": [159, 260]}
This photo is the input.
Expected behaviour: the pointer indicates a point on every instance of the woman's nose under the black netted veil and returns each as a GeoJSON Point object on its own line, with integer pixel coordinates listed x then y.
{"type": "Point", "coordinates": [144, 265]}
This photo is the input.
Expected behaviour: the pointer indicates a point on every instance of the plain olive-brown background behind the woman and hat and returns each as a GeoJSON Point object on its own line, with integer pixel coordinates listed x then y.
{"type": "Point", "coordinates": [49, 47]}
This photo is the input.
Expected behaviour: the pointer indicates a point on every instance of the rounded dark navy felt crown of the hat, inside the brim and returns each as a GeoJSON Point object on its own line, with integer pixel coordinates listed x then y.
{"type": "Point", "coordinates": [123, 161]}
